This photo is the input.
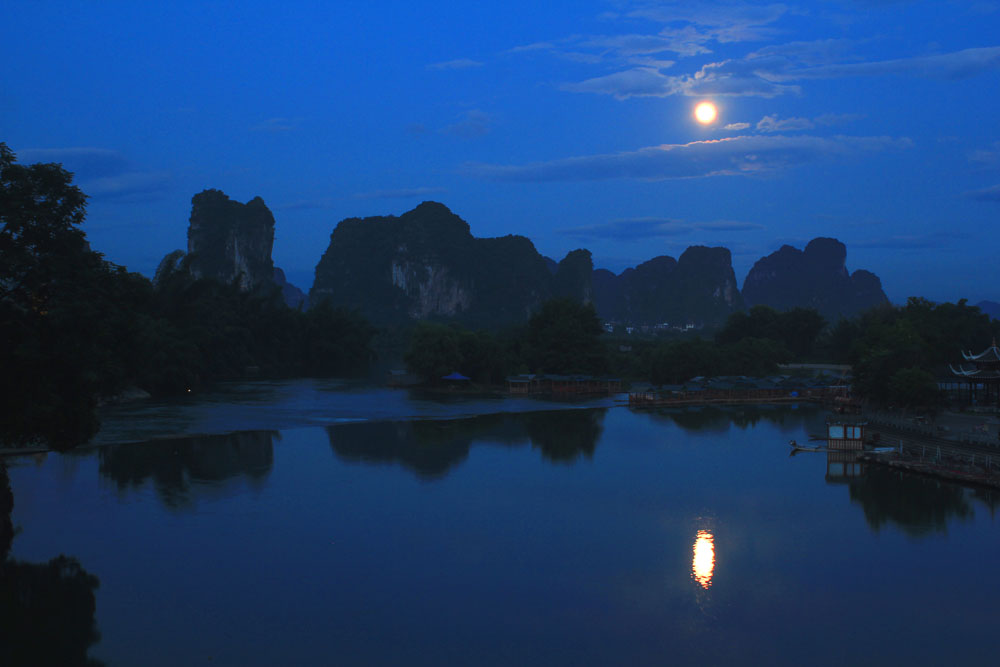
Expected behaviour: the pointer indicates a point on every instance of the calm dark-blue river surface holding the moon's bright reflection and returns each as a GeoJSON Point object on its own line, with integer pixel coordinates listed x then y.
{"type": "Point", "coordinates": [590, 536]}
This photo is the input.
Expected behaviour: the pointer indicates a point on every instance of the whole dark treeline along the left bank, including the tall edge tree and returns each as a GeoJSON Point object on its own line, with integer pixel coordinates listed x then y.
{"type": "Point", "coordinates": [76, 329]}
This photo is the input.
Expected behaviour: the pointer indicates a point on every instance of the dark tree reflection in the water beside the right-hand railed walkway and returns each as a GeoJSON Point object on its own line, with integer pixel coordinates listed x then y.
{"type": "Point", "coordinates": [918, 505]}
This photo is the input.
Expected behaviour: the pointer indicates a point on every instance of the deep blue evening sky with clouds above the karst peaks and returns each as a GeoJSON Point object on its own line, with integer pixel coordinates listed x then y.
{"type": "Point", "coordinates": [568, 122]}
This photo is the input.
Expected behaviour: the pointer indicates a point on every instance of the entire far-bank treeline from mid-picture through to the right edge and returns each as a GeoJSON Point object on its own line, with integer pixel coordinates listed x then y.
{"type": "Point", "coordinates": [897, 353]}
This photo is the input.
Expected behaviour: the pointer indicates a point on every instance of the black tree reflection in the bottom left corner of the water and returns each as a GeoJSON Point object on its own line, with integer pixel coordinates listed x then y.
{"type": "Point", "coordinates": [47, 610]}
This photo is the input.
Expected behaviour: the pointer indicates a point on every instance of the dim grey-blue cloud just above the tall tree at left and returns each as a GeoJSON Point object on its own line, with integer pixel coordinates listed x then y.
{"type": "Point", "coordinates": [102, 173]}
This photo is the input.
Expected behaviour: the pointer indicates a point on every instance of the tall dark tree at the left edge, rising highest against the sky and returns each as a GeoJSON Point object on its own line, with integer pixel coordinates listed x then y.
{"type": "Point", "coordinates": [50, 283]}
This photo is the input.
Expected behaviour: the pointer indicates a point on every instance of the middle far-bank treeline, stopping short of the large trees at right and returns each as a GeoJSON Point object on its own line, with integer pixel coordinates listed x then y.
{"type": "Point", "coordinates": [565, 337]}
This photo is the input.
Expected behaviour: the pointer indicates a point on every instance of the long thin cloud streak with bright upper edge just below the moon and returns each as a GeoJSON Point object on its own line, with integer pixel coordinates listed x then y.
{"type": "Point", "coordinates": [740, 155]}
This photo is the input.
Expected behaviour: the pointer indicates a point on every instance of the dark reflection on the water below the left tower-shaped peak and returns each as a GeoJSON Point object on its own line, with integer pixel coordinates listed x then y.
{"type": "Point", "coordinates": [174, 466]}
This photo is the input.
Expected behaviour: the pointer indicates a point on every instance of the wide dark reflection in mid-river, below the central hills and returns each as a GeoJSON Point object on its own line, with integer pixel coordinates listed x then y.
{"type": "Point", "coordinates": [431, 448]}
